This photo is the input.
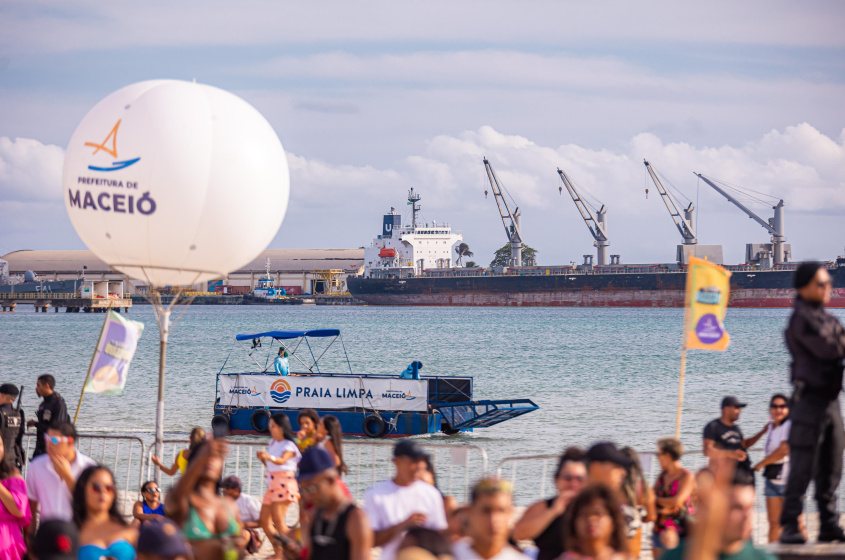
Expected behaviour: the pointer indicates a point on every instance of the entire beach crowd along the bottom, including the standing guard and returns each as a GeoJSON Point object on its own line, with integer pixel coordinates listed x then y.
{"type": "Point", "coordinates": [67, 506]}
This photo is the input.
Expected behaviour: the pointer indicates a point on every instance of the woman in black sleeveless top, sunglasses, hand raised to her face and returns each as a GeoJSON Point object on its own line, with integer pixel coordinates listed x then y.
{"type": "Point", "coordinates": [542, 521]}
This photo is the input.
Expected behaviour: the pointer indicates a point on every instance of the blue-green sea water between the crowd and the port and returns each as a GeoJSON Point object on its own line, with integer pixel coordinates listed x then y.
{"type": "Point", "coordinates": [597, 374]}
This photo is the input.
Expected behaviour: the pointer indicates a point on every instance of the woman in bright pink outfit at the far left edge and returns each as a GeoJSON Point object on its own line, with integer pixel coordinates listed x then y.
{"type": "Point", "coordinates": [14, 511]}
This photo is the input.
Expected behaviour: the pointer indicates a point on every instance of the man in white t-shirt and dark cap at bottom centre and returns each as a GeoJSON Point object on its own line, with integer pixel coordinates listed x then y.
{"type": "Point", "coordinates": [395, 505]}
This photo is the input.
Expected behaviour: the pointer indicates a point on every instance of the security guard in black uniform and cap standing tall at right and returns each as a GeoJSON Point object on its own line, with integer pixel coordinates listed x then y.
{"type": "Point", "coordinates": [816, 341]}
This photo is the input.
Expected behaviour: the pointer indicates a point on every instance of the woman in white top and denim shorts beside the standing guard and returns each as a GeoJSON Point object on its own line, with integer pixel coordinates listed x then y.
{"type": "Point", "coordinates": [775, 465]}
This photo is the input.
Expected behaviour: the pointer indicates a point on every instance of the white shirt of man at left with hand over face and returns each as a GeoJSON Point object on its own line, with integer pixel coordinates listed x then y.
{"type": "Point", "coordinates": [49, 490]}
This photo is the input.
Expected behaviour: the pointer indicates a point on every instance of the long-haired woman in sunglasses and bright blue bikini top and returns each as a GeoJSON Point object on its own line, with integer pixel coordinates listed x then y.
{"type": "Point", "coordinates": [103, 532]}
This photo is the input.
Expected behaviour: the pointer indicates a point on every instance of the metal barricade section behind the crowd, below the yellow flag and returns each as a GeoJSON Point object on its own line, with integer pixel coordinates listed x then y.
{"type": "Point", "coordinates": [532, 478]}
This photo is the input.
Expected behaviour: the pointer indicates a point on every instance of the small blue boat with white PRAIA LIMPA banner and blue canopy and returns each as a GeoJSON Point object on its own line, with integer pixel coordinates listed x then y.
{"type": "Point", "coordinates": [367, 405]}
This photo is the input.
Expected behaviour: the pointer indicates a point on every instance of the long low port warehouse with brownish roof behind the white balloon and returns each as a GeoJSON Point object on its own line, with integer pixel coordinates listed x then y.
{"type": "Point", "coordinates": [308, 271]}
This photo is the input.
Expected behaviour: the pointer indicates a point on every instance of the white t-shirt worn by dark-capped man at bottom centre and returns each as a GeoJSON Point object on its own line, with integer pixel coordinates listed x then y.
{"type": "Point", "coordinates": [387, 504]}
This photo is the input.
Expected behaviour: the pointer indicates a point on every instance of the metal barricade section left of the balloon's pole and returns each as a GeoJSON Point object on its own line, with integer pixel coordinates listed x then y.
{"type": "Point", "coordinates": [123, 455]}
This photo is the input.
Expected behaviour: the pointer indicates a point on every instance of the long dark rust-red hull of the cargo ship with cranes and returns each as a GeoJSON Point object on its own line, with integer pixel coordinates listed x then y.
{"type": "Point", "coordinates": [752, 289]}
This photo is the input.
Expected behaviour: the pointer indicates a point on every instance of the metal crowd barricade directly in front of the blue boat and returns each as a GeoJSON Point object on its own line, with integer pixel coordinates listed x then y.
{"type": "Point", "coordinates": [456, 466]}
